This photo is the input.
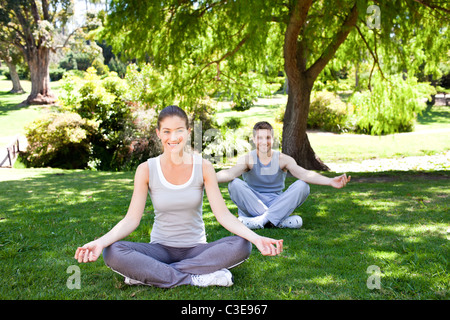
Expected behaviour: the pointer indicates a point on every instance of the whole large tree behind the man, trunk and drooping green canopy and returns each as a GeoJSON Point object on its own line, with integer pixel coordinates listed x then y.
{"type": "Point", "coordinates": [211, 46]}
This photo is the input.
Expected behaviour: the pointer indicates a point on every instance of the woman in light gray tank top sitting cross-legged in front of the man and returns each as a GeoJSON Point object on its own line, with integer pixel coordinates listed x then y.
{"type": "Point", "coordinates": [178, 253]}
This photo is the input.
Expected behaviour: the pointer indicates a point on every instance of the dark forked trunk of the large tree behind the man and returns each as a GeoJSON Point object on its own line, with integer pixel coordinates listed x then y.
{"type": "Point", "coordinates": [301, 80]}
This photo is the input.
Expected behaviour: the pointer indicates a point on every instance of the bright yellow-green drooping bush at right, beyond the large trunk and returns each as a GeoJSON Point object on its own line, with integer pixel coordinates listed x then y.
{"type": "Point", "coordinates": [391, 106]}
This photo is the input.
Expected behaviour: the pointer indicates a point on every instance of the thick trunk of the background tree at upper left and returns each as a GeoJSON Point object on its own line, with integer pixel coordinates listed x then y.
{"type": "Point", "coordinates": [40, 77]}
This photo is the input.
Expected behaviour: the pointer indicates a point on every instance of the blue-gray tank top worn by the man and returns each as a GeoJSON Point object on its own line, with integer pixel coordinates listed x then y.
{"type": "Point", "coordinates": [265, 178]}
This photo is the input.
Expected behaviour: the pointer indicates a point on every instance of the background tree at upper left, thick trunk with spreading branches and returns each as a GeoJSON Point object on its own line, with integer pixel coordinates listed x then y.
{"type": "Point", "coordinates": [32, 25]}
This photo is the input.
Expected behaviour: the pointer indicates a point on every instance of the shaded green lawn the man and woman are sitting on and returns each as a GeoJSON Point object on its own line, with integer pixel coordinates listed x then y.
{"type": "Point", "coordinates": [398, 222]}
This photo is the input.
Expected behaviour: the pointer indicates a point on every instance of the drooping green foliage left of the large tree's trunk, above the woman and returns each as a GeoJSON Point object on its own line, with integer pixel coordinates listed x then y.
{"type": "Point", "coordinates": [200, 51]}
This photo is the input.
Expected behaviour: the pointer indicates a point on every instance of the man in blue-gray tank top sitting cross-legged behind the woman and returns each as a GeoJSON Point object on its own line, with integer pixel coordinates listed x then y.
{"type": "Point", "coordinates": [259, 196]}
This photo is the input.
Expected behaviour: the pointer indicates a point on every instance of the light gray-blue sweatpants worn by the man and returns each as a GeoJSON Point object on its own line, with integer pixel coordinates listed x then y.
{"type": "Point", "coordinates": [279, 206]}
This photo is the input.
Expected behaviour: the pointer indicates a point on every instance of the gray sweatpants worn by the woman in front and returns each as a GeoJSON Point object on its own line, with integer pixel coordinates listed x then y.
{"type": "Point", "coordinates": [166, 267]}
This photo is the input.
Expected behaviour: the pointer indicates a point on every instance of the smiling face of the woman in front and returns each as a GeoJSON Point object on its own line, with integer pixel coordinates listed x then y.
{"type": "Point", "coordinates": [173, 134]}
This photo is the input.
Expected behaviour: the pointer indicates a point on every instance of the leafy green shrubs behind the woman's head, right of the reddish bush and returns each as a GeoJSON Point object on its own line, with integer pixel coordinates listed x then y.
{"type": "Point", "coordinates": [126, 112]}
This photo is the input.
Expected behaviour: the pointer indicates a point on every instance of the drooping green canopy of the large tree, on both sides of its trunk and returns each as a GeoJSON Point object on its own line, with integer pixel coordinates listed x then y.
{"type": "Point", "coordinates": [210, 47]}
